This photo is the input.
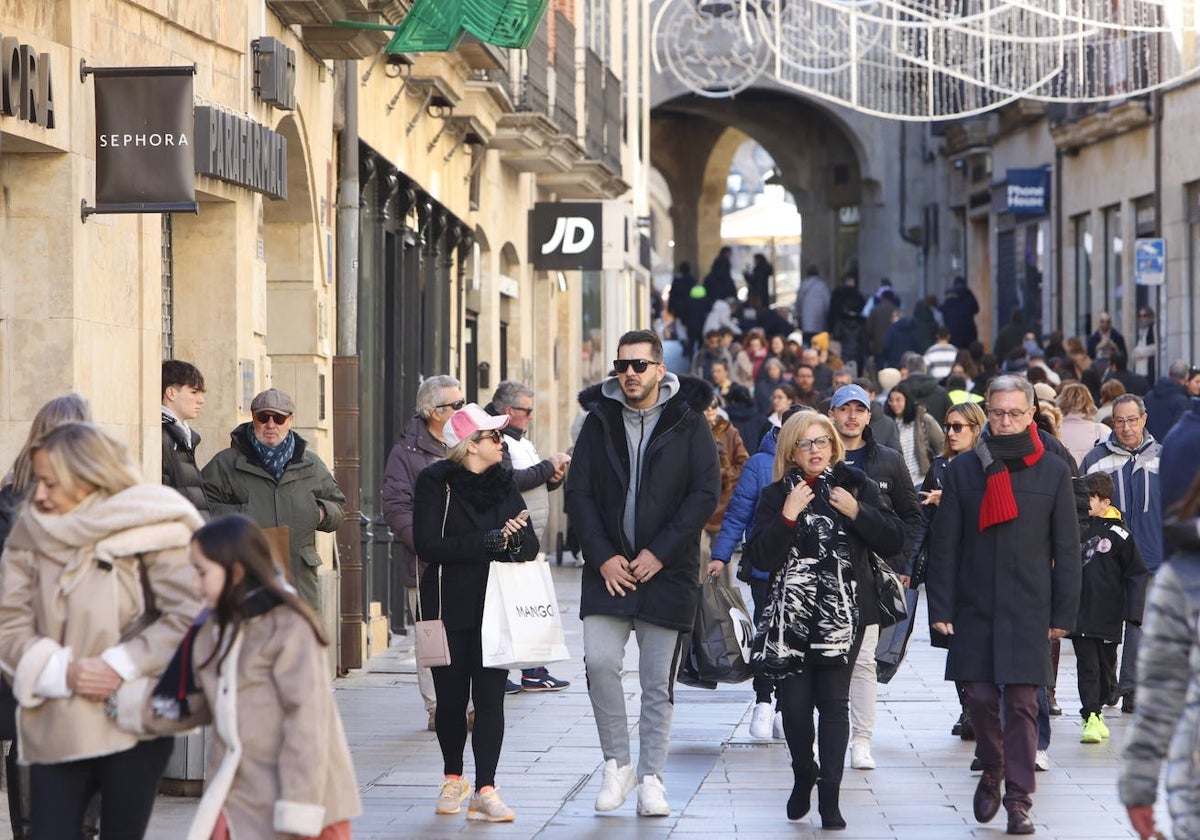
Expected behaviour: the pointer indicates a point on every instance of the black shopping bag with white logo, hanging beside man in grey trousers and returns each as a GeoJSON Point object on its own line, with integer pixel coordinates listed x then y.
{"type": "Point", "coordinates": [722, 635]}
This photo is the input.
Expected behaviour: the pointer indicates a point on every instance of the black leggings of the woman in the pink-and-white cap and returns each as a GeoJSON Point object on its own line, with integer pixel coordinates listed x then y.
{"type": "Point", "coordinates": [466, 679]}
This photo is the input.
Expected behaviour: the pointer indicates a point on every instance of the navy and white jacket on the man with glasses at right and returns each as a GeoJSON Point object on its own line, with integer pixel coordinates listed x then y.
{"type": "Point", "coordinates": [1139, 497]}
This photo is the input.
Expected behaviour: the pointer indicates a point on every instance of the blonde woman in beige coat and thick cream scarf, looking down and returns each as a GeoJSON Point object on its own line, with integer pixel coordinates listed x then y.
{"type": "Point", "coordinates": [97, 593]}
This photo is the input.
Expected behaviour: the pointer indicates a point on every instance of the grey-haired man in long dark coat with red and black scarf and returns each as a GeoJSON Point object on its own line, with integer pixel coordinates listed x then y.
{"type": "Point", "coordinates": [1005, 577]}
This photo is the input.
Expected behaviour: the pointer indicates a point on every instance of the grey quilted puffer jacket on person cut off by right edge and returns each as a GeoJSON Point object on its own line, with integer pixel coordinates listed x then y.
{"type": "Point", "coordinates": [1167, 723]}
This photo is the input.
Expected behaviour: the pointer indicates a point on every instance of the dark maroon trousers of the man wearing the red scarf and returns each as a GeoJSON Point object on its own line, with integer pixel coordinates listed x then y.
{"type": "Point", "coordinates": [1007, 748]}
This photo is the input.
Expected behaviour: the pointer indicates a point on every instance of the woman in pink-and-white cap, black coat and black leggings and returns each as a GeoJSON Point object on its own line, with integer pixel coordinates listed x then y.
{"type": "Point", "coordinates": [467, 512]}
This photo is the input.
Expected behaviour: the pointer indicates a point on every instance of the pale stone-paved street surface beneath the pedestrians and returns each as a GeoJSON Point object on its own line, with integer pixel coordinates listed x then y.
{"type": "Point", "coordinates": [719, 782]}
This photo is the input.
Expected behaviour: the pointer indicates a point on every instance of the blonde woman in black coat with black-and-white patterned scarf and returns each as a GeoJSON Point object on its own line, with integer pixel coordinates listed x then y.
{"type": "Point", "coordinates": [815, 530]}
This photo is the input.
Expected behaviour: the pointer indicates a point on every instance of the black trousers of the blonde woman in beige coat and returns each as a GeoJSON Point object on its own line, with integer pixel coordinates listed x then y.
{"type": "Point", "coordinates": [127, 782]}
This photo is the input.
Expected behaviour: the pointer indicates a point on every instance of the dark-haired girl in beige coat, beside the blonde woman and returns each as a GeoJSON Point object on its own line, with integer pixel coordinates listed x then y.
{"type": "Point", "coordinates": [255, 665]}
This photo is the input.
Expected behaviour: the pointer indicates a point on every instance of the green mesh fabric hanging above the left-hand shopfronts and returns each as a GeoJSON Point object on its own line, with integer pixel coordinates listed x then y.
{"type": "Point", "coordinates": [439, 26]}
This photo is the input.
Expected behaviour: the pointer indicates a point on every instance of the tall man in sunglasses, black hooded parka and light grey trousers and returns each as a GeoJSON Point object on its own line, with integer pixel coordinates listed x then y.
{"type": "Point", "coordinates": [645, 479]}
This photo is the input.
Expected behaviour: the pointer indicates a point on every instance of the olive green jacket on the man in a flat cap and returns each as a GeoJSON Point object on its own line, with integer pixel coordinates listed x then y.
{"type": "Point", "coordinates": [237, 483]}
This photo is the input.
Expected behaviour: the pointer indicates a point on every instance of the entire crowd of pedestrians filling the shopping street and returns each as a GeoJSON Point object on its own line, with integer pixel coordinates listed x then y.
{"type": "Point", "coordinates": [1037, 494]}
